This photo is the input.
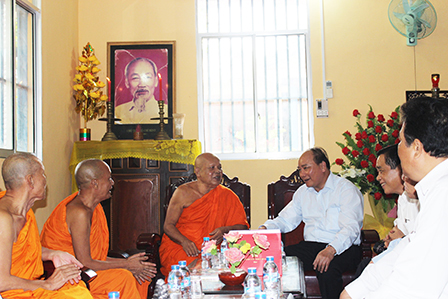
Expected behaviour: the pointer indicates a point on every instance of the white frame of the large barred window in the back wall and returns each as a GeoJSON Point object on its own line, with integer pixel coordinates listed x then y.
{"type": "Point", "coordinates": [254, 34]}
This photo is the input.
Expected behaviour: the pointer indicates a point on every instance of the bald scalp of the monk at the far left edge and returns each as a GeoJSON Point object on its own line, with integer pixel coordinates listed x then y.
{"type": "Point", "coordinates": [17, 166]}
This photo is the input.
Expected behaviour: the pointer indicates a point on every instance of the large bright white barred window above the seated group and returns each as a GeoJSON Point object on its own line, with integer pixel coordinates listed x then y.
{"type": "Point", "coordinates": [253, 78]}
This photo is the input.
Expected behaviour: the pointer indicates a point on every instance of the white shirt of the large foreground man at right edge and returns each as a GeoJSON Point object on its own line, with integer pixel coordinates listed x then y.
{"type": "Point", "coordinates": [417, 267]}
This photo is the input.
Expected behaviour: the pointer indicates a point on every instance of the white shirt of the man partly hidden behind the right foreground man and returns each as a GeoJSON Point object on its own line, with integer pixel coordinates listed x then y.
{"type": "Point", "coordinates": [407, 213]}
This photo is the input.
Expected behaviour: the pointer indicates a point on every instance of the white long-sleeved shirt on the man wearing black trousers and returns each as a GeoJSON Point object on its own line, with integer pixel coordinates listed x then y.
{"type": "Point", "coordinates": [333, 215]}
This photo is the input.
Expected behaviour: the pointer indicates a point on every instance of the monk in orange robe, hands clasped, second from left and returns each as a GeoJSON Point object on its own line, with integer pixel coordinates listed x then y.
{"type": "Point", "coordinates": [78, 226]}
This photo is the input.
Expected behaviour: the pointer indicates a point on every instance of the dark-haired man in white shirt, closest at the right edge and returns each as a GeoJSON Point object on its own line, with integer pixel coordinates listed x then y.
{"type": "Point", "coordinates": [416, 267]}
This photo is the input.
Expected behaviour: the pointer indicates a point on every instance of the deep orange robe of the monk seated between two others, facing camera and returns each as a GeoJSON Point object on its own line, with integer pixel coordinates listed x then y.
{"type": "Point", "coordinates": [220, 207]}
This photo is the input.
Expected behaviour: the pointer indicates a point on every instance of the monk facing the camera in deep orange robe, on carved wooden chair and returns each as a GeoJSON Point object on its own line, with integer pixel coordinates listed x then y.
{"type": "Point", "coordinates": [198, 209]}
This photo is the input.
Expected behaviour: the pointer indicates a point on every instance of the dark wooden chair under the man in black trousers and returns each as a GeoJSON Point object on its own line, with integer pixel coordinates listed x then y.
{"type": "Point", "coordinates": [279, 195]}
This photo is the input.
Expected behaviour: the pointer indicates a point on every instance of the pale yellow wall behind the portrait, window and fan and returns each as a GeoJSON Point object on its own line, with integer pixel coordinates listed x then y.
{"type": "Point", "coordinates": [367, 60]}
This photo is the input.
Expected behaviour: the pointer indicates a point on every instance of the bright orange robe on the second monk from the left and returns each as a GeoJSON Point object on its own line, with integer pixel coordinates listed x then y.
{"type": "Point", "coordinates": [55, 235]}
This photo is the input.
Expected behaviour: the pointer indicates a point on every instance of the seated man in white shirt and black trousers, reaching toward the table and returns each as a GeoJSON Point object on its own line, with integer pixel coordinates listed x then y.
{"type": "Point", "coordinates": [332, 209]}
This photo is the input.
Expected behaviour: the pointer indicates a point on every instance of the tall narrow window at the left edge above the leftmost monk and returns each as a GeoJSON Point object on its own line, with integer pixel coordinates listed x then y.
{"type": "Point", "coordinates": [19, 126]}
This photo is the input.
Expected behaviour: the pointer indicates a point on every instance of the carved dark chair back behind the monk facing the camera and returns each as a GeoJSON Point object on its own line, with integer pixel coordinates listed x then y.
{"type": "Point", "coordinates": [242, 190]}
